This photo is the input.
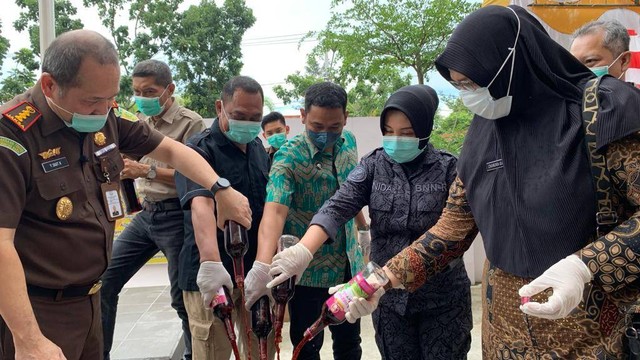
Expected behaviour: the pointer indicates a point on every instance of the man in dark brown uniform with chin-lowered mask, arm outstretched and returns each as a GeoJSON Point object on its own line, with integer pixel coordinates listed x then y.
{"type": "Point", "coordinates": [61, 145]}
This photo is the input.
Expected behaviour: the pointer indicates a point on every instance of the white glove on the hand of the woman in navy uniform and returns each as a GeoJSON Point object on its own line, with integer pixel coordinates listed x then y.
{"type": "Point", "coordinates": [288, 263]}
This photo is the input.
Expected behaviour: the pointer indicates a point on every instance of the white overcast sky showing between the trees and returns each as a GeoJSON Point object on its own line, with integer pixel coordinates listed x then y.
{"type": "Point", "coordinates": [270, 48]}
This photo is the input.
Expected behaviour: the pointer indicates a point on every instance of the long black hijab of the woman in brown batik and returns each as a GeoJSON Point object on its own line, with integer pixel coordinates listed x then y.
{"type": "Point", "coordinates": [527, 175]}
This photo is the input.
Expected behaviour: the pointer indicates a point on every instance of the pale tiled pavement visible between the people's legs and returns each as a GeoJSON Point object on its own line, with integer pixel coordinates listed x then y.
{"type": "Point", "coordinates": [148, 328]}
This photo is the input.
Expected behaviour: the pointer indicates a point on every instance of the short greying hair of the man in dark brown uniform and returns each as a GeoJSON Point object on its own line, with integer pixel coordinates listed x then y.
{"type": "Point", "coordinates": [64, 56]}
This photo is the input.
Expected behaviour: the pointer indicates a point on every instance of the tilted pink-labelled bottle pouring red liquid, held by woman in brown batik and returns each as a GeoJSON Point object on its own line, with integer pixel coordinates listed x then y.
{"type": "Point", "coordinates": [363, 285]}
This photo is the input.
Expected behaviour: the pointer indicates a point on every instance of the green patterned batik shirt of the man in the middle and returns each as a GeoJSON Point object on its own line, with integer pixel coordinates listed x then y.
{"type": "Point", "coordinates": [303, 178]}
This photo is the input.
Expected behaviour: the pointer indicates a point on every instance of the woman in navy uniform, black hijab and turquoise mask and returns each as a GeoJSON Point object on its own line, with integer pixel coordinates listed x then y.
{"type": "Point", "coordinates": [405, 184]}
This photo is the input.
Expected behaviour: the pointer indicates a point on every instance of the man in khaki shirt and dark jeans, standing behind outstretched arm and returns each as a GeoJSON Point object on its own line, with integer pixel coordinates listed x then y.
{"type": "Point", "coordinates": [159, 227]}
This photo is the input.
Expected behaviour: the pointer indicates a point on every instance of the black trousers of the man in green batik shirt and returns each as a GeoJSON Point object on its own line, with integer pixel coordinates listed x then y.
{"type": "Point", "coordinates": [304, 310]}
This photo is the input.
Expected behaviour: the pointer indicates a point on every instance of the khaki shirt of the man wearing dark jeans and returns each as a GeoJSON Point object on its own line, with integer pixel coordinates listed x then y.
{"type": "Point", "coordinates": [178, 123]}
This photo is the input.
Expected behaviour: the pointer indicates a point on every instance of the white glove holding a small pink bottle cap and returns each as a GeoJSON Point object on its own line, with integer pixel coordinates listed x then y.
{"type": "Point", "coordinates": [567, 278]}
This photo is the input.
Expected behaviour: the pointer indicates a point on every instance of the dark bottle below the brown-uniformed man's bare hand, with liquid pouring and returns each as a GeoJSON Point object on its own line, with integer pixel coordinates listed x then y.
{"type": "Point", "coordinates": [236, 244]}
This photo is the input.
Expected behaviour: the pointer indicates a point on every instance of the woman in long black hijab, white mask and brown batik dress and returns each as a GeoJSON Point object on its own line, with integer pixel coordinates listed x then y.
{"type": "Point", "coordinates": [524, 179]}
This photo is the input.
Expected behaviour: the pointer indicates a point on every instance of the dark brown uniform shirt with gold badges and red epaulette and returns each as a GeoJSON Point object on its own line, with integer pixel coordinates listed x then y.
{"type": "Point", "coordinates": [50, 180]}
